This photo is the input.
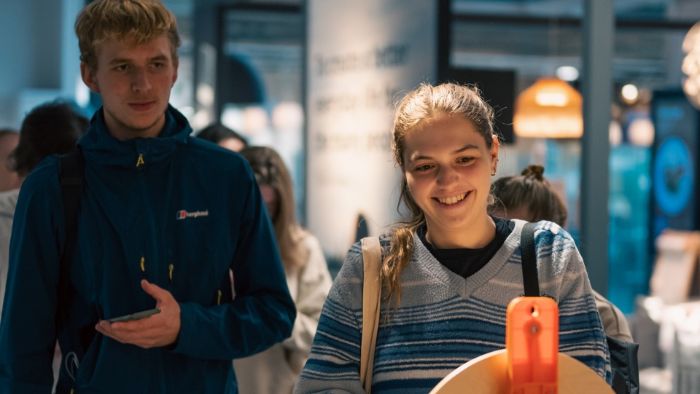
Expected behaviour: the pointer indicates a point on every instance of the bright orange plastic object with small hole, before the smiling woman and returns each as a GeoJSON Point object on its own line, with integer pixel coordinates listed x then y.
{"type": "Point", "coordinates": [532, 345]}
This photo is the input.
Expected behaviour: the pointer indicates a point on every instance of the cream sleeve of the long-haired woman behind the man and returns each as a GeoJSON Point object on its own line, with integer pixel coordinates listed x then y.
{"type": "Point", "coordinates": [314, 282]}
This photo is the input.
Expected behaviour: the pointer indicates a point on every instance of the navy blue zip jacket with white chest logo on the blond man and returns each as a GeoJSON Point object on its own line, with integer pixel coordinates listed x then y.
{"type": "Point", "coordinates": [175, 210]}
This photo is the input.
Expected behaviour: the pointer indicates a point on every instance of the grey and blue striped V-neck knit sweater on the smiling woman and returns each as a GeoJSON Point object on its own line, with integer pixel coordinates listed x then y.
{"type": "Point", "coordinates": [445, 320]}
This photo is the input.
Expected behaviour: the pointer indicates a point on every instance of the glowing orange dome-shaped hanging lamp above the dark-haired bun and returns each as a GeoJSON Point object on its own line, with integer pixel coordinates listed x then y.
{"type": "Point", "coordinates": [550, 108]}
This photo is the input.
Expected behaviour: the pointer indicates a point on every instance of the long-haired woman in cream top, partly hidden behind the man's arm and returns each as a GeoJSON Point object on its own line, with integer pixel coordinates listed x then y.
{"type": "Point", "coordinates": [277, 369]}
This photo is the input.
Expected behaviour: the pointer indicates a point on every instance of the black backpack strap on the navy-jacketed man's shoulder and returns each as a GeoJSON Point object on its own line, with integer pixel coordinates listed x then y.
{"type": "Point", "coordinates": [71, 167]}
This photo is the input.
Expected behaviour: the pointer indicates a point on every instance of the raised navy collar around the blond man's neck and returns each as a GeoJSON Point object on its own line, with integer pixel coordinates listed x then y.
{"type": "Point", "coordinates": [100, 147]}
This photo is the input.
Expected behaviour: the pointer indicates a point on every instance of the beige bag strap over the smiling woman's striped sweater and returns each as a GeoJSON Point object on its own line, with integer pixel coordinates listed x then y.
{"type": "Point", "coordinates": [371, 297]}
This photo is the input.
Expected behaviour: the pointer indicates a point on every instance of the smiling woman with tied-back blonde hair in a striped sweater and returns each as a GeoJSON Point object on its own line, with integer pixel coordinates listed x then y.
{"type": "Point", "coordinates": [450, 269]}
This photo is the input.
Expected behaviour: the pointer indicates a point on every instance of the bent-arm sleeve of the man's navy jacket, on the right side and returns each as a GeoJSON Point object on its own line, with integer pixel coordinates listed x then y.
{"type": "Point", "coordinates": [262, 312]}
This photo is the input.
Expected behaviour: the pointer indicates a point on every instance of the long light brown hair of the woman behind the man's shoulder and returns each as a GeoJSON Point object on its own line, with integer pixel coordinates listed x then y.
{"type": "Point", "coordinates": [269, 169]}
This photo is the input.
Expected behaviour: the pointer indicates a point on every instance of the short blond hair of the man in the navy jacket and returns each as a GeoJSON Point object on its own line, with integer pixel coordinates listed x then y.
{"type": "Point", "coordinates": [138, 20]}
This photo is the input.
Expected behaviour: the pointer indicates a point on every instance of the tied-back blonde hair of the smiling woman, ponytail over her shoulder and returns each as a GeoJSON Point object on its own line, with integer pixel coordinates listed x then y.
{"type": "Point", "coordinates": [421, 105]}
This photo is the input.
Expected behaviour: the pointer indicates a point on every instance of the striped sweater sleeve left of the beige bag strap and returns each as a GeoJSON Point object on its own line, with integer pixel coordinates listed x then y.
{"type": "Point", "coordinates": [334, 362]}
